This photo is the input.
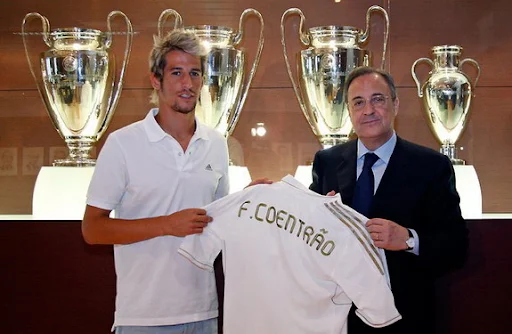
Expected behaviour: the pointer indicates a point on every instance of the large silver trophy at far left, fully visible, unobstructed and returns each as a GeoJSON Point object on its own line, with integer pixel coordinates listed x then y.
{"type": "Point", "coordinates": [77, 83]}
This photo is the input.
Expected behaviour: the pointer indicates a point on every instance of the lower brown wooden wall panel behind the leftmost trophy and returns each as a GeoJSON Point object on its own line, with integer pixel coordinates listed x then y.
{"type": "Point", "coordinates": [26, 129]}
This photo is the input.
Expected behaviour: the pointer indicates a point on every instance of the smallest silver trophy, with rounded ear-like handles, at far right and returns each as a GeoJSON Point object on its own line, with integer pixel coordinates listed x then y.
{"type": "Point", "coordinates": [447, 94]}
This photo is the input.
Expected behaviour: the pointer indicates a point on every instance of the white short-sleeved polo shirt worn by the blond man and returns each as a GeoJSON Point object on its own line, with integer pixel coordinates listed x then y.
{"type": "Point", "coordinates": [143, 172]}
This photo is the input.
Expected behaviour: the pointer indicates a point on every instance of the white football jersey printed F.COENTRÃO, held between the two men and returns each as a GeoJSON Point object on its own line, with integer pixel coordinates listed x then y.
{"type": "Point", "coordinates": [294, 261]}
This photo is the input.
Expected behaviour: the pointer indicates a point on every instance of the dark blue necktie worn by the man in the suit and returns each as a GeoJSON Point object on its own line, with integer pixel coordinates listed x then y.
{"type": "Point", "coordinates": [363, 193]}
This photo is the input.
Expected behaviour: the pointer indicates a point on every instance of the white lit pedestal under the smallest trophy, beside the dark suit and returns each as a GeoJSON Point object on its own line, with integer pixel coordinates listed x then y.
{"type": "Point", "coordinates": [468, 187]}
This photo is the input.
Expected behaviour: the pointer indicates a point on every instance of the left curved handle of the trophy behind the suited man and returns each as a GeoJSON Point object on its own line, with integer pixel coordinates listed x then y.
{"type": "Point", "coordinates": [305, 40]}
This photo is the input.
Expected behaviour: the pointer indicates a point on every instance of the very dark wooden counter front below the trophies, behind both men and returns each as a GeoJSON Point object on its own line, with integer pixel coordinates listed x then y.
{"type": "Point", "coordinates": [52, 282]}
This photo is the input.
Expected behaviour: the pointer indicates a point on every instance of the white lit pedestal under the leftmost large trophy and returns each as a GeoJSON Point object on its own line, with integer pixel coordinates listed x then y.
{"type": "Point", "coordinates": [60, 193]}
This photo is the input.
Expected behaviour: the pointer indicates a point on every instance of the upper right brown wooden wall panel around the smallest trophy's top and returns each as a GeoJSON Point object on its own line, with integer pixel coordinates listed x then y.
{"type": "Point", "coordinates": [477, 26]}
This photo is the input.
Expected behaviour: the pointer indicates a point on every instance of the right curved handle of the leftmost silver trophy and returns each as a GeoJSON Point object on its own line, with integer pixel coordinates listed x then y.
{"type": "Point", "coordinates": [117, 87]}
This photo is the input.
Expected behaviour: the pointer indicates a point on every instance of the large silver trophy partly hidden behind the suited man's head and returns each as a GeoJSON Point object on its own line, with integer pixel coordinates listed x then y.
{"type": "Point", "coordinates": [332, 53]}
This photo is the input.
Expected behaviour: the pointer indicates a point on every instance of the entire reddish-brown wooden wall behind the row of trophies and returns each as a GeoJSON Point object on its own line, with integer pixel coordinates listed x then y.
{"type": "Point", "coordinates": [479, 27]}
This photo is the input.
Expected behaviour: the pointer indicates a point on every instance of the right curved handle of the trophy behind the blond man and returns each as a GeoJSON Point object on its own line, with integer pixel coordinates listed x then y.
{"type": "Point", "coordinates": [236, 40]}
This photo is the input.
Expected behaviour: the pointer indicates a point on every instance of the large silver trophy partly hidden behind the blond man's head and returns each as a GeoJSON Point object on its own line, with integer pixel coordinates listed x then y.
{"type": "Point", "coordinates": [225, 86]}
